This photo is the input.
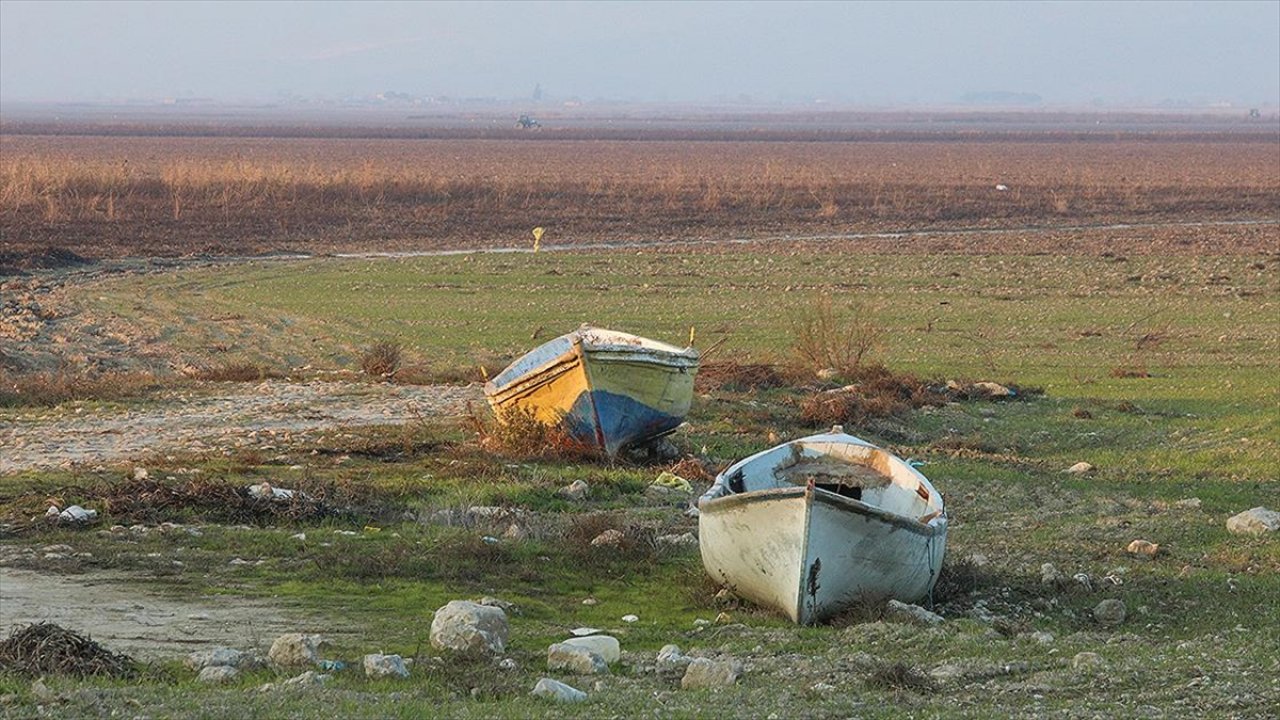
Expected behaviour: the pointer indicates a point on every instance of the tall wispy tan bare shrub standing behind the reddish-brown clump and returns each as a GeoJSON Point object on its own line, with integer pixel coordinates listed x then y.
{"type": "Point", "coordinates": [824, 339]}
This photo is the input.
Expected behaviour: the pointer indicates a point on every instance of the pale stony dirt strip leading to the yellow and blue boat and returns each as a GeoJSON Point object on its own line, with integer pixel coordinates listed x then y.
{"type": "Point", "coordinates": [240, 416]}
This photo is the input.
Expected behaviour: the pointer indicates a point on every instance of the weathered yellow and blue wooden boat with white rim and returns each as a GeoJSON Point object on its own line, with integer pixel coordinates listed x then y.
{"type": "Point", "coordinates": [610, 390]}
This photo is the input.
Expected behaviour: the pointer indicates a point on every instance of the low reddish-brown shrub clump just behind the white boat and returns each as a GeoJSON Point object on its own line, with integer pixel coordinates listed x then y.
{"type": "Point", "coordinates": [877, 393]}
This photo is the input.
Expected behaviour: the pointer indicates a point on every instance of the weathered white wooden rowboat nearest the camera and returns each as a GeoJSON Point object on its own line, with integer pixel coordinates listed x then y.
{"type": "Point", "coordinates": [817, 525]}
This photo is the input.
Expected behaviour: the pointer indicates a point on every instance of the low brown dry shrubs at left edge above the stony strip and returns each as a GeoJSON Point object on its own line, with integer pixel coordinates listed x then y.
{"type": "Point", "coordinates": [47, 390]}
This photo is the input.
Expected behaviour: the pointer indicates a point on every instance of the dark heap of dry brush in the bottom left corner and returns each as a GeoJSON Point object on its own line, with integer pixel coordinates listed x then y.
{"type": "Point", "coordinates": [45, 649]}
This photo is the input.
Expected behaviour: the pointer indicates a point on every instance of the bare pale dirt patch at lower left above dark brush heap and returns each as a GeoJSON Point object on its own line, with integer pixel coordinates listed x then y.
{"type": "Point", "coordinates": [124, 618]}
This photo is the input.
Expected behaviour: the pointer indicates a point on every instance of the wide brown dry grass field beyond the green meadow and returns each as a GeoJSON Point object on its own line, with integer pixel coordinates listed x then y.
{"type": "Point", "coordinates": [181, 197]}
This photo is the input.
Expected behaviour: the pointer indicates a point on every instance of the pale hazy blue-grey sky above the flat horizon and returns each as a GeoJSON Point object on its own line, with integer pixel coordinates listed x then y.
{"type": "Point", "coordinates": [856, 53]}
